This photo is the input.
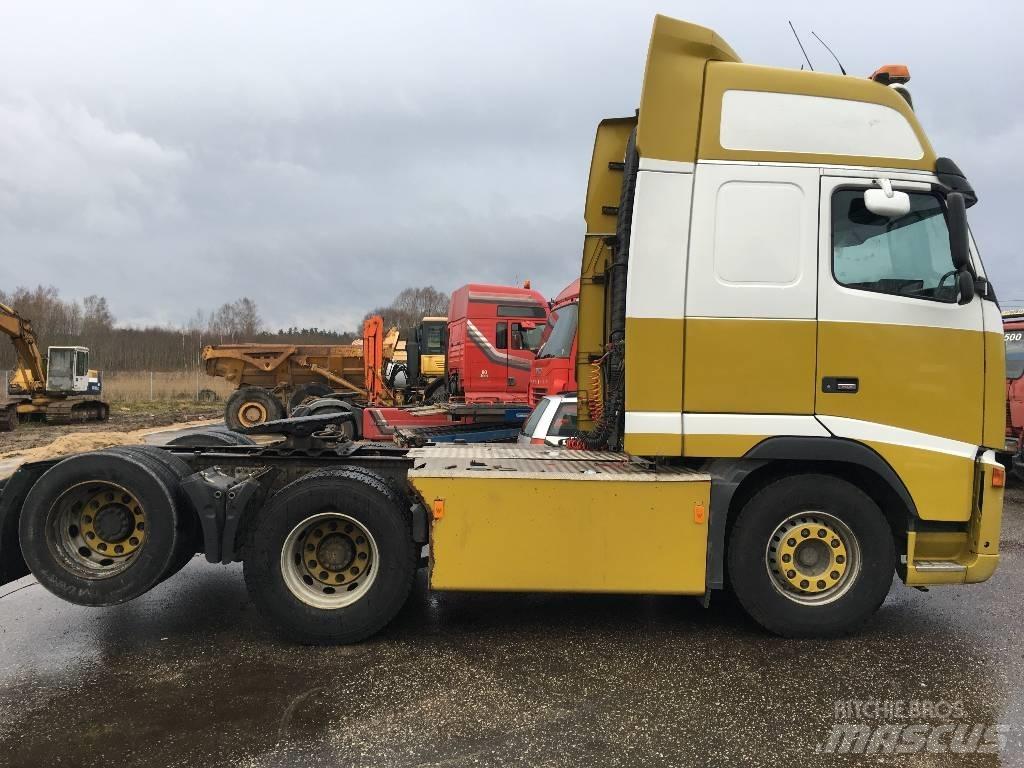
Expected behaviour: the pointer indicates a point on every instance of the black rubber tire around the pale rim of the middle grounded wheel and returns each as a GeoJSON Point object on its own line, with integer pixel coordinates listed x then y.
{"type": "Point", "coordinates": [369, 501]}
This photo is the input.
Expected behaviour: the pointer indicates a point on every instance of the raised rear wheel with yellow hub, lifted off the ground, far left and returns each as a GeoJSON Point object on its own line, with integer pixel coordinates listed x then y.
{"type": "Point", "coordinates": [101, 529]}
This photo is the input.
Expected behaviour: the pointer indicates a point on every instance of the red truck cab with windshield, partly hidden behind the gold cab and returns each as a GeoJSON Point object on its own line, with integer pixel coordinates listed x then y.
{"type": "Point", "coordinates": [554, 369]}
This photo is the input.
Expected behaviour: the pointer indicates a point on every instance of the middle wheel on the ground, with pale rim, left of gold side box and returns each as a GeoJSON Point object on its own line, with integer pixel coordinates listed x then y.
{"type": "Point", "coordinates": [331, 559]}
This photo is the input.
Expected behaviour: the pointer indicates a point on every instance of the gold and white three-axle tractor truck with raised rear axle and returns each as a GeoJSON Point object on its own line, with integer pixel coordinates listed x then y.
{"type": "Point", "coordinates": [777, 272]}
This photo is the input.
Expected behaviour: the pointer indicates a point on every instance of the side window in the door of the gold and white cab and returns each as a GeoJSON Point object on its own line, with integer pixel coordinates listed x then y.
{"type": "Point", "coordinates": [908, 257]}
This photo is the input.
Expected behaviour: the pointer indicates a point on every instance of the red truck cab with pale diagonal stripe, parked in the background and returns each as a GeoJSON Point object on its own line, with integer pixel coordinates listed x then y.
{"type": "Point", "coordinates": [494, 333]}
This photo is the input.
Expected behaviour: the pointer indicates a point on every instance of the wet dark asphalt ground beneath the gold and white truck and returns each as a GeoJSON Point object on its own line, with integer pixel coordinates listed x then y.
{"type": "Point", "coordinates": [189, 676]}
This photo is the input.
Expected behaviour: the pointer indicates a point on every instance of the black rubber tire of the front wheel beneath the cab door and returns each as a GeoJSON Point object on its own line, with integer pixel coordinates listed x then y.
{"type": "Point", "coordinates": [816, 497]}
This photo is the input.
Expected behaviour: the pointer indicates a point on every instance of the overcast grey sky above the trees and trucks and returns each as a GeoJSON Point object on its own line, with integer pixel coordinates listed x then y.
{"type": "Point", "coordinates": [320, 157]}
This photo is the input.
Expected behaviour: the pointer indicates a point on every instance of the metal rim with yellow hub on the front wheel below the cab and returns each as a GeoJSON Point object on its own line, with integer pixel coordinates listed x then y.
{"type": "Point", "coordinates": [809, 557]}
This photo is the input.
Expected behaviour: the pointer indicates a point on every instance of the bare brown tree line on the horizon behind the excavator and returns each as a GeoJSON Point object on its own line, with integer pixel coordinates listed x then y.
{"type": "Point", "coordinates": [91, 323]}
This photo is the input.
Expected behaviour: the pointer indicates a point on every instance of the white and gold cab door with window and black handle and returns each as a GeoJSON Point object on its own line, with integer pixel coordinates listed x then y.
{"type": "Point", "coordinates": [901, 363]}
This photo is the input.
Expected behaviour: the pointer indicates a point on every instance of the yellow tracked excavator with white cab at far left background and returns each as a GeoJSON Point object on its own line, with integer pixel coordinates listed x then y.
{"type": "Point", "coordinates": [62, 392]}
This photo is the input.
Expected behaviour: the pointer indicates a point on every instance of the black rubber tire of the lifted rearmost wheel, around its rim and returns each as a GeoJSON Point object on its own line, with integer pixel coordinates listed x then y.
{"type": "Point", "coordinates": [98, 584]}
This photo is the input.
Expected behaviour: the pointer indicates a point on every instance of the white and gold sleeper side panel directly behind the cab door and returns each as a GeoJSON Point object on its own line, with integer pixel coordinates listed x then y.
{"type": "Point", "coordinates": [751, 306]}
